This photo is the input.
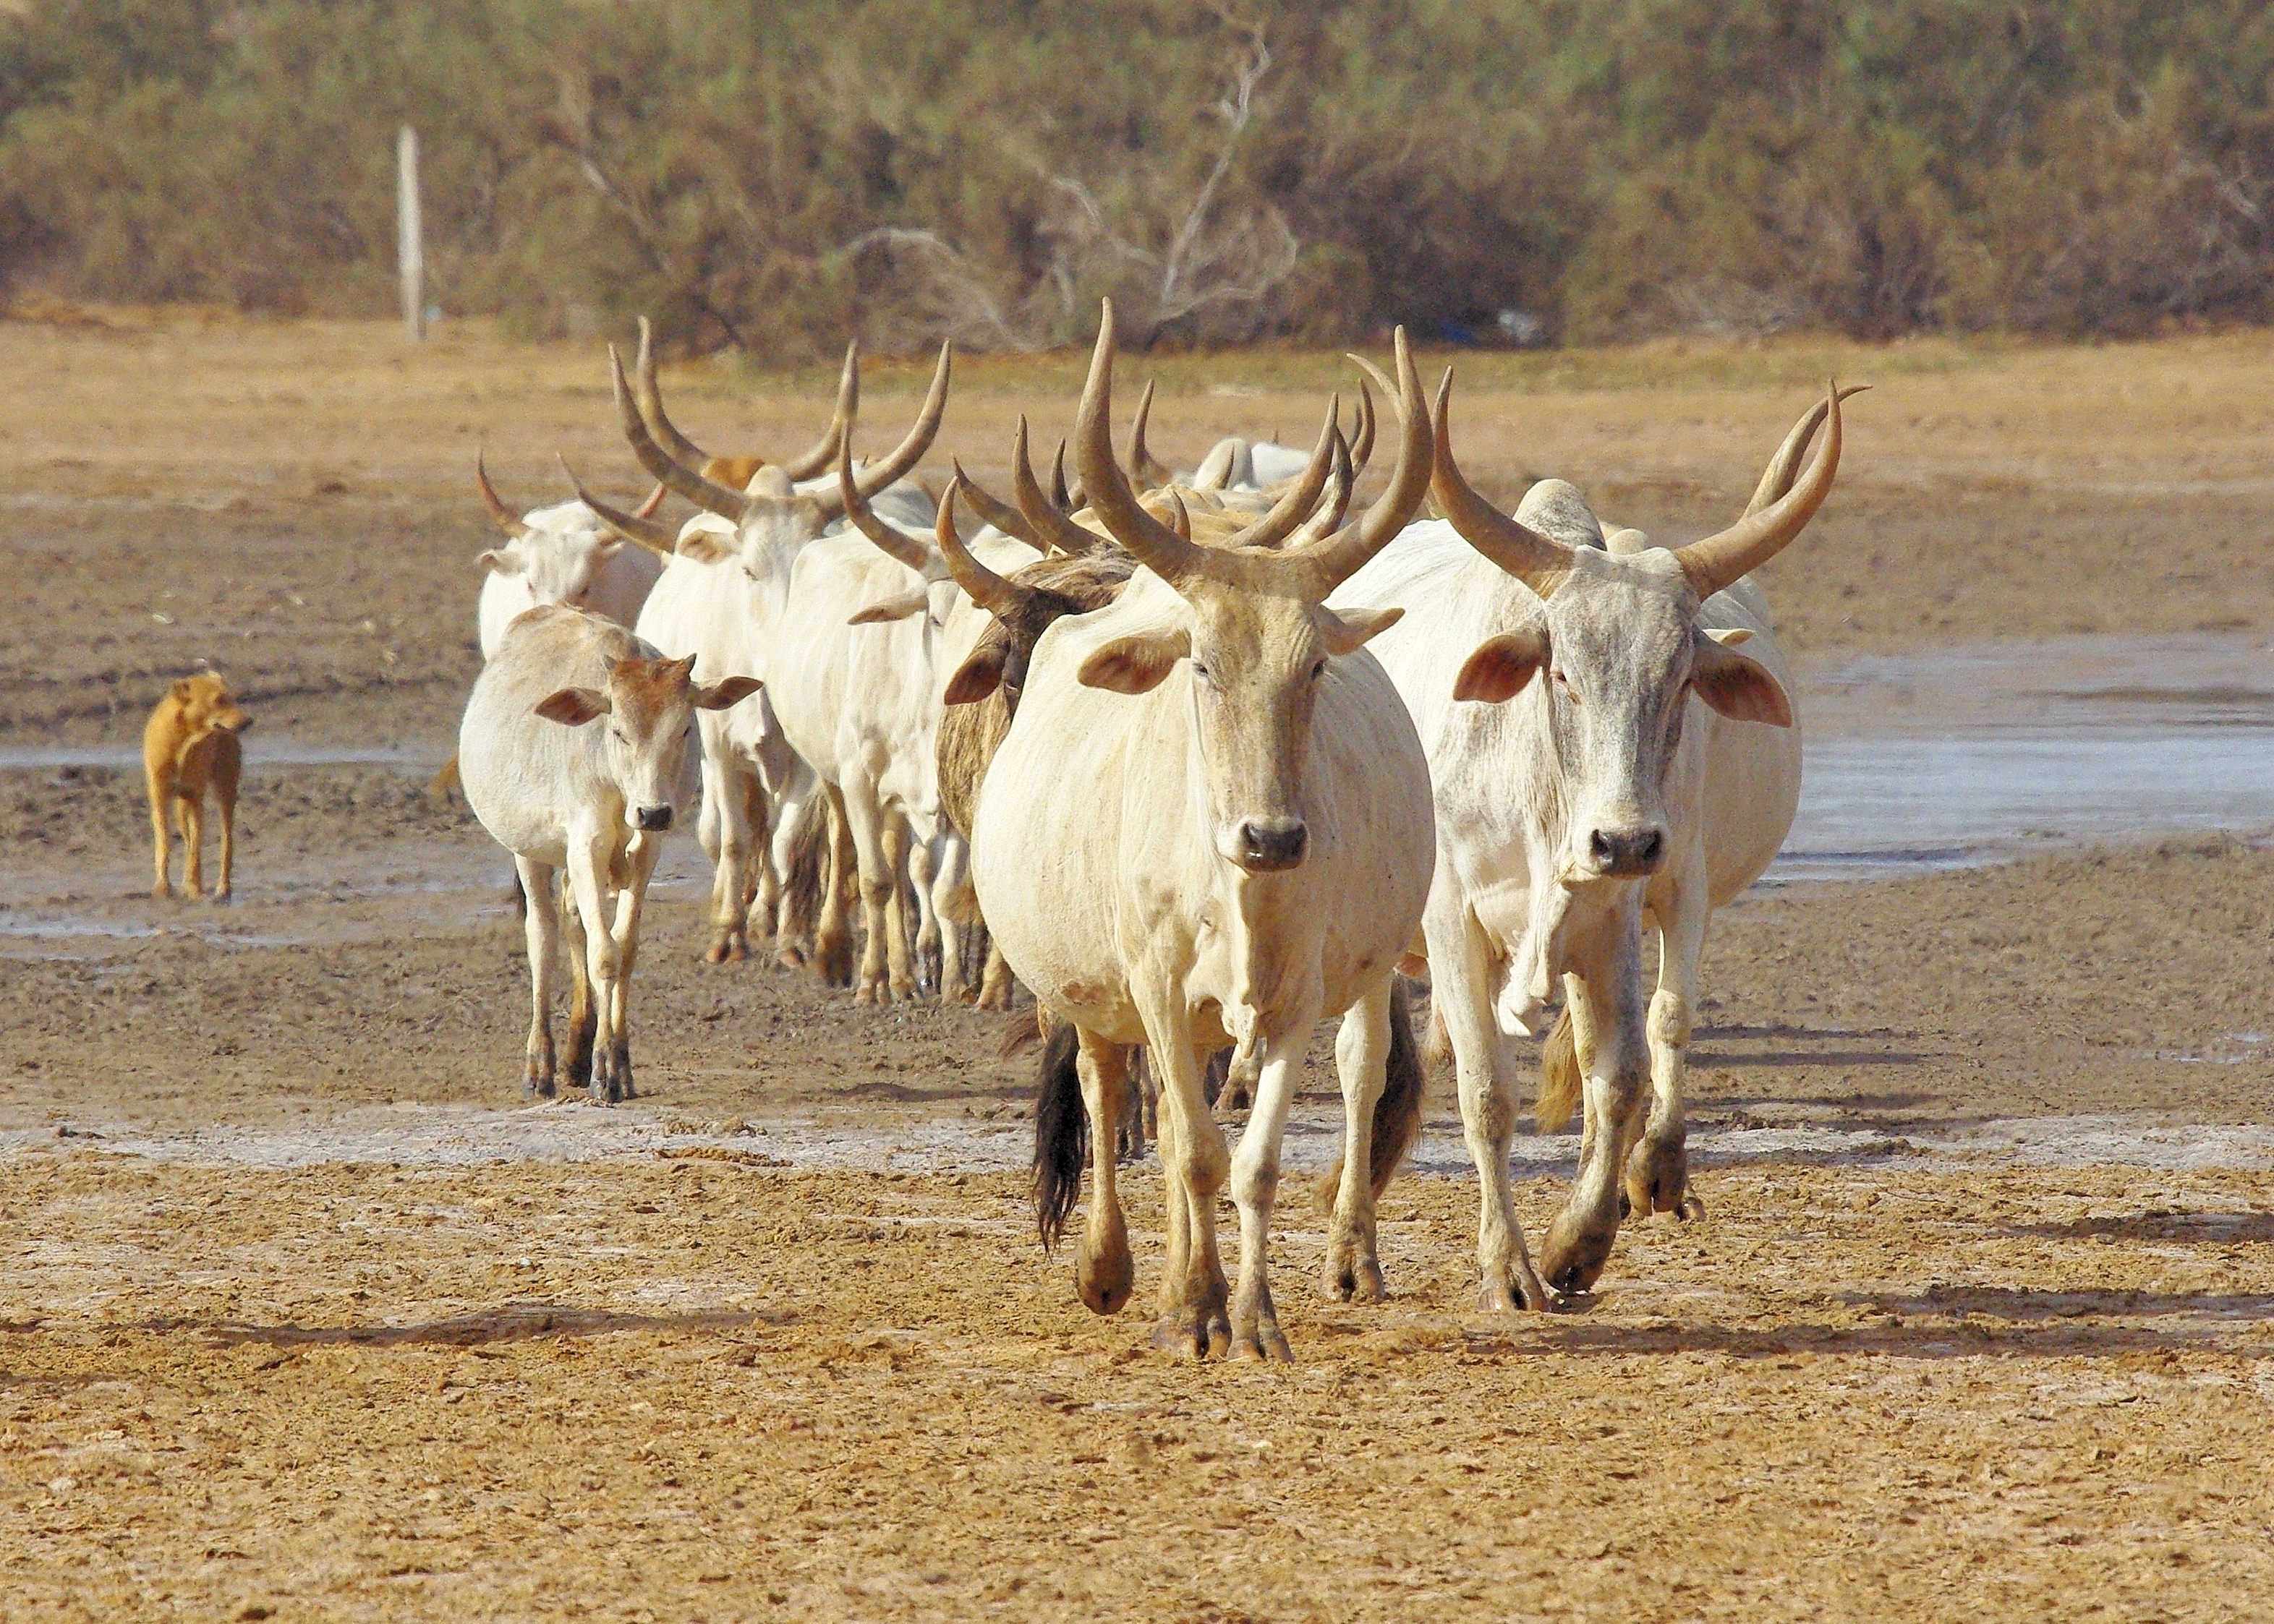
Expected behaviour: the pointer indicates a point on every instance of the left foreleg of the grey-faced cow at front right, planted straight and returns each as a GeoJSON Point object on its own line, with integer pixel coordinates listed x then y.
{"type": "Point", "coordinates": [1461, 997]}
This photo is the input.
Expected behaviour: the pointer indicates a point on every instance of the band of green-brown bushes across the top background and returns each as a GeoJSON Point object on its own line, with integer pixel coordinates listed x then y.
{"type": "Point", "coordinates": [774, 174]}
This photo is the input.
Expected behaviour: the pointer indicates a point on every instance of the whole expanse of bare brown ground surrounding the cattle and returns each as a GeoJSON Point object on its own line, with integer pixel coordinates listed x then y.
{"type": "Point", "coordinates": [304, 1316]}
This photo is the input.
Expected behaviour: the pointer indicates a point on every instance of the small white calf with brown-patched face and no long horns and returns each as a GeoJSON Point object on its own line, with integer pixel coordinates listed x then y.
{"type": "Point", "coordinates": [572, 754]}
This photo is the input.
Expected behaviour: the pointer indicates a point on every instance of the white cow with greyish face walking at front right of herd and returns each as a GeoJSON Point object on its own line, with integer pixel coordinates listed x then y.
{"type": "Point", "coordinates": [1602, 754]}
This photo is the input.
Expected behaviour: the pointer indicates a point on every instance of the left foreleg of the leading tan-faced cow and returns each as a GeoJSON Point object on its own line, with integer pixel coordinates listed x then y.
{"type": "Point", "coordinates": [1195, 1163]}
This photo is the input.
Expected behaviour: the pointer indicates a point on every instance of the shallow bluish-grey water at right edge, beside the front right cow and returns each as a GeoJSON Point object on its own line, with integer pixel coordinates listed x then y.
{"type": "Point", "coordinates": [1964, 756]}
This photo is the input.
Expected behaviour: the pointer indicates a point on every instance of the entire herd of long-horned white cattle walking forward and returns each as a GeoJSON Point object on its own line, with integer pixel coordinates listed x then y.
{"type": "Point", "coordinates": [1200, 759]}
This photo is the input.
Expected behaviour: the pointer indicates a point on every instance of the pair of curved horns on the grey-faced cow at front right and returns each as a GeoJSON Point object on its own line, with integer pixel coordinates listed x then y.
{"type": "Point", "coordinates": [1779, 511]}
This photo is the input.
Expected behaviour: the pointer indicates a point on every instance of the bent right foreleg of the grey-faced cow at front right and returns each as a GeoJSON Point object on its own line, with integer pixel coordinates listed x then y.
{"type": "Point", "coordinates": [1616, 1068]}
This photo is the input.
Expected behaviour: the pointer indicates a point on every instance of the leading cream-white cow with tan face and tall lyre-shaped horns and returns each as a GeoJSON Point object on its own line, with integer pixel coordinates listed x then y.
{"type": "Point", "coordinates": [1211, 825]}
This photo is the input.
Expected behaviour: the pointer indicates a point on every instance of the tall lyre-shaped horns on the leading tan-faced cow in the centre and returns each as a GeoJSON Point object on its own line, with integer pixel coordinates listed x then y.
{"type": "Point", "coordinates": [1313, 565]}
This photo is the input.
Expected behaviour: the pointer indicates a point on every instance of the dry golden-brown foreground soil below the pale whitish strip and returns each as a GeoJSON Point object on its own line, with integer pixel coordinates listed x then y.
{"type": "Point", "coordinates": [711, 1389]}
